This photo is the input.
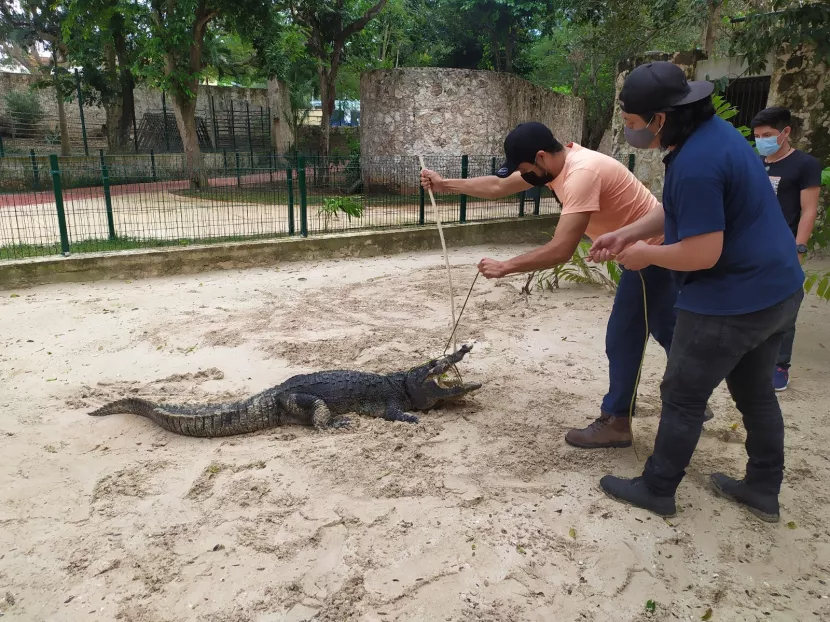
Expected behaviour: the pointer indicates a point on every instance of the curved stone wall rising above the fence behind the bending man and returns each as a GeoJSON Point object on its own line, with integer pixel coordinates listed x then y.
{"type": "Point", "coordinates": [409, 112]}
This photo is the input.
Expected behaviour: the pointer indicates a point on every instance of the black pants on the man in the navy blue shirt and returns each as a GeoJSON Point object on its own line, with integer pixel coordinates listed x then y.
{"type": "Point", "coordinates": [705, 350]}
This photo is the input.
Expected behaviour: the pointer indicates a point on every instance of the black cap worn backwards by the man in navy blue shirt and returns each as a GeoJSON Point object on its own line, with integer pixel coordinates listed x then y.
{"type": "Point", "coordinates": [660, 86]}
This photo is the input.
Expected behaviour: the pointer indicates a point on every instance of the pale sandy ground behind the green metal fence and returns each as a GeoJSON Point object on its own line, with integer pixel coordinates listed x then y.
{"type": "Point", "coordinates": [162, 215]}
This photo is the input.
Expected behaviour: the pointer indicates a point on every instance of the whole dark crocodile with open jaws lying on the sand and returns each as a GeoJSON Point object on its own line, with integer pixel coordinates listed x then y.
{"type": "Point", "coordinates": [318, 399]}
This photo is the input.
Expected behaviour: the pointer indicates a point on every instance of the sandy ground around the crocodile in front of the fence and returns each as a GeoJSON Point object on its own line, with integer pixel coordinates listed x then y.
{"type": "Point", "coordinates": [480, 512]}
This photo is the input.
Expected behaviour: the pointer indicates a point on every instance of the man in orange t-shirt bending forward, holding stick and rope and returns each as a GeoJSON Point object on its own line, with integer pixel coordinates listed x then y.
{"type": "Point", "coordinates": [598, 195]}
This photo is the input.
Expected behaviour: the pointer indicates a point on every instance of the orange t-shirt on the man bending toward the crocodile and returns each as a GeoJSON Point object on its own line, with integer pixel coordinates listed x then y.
{"type": "Point", "coordinates": [594, 182]}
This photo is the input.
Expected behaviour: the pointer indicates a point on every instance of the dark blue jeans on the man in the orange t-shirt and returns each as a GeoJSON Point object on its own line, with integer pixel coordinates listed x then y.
{"type": "Point", "coordinates": [626, 333]}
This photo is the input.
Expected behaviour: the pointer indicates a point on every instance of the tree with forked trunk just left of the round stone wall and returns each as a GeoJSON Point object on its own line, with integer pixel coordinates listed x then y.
{"type": "Point", "coordinates": [328, 25]}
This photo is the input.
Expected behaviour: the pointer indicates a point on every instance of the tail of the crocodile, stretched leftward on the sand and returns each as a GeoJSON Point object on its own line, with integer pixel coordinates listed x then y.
{"type": "Point", "coordinates": [224, 420]}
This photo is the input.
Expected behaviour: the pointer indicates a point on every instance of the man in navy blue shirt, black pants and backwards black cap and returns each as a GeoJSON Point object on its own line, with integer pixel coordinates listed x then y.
{"type": "Point", "coordinates": [740, 282]}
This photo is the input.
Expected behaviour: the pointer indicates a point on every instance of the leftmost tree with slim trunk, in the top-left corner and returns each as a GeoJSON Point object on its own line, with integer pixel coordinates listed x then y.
{"type": "Point", "coordinates": [30, 24]}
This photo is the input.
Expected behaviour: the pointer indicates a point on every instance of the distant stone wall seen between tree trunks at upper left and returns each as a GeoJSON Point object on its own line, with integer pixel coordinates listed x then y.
{"type": "Point", "coordinates": [150, 100]}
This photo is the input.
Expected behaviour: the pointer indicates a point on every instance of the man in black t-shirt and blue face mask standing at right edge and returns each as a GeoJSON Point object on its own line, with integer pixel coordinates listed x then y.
{"type": "Point", "coordinates": [796, 178]}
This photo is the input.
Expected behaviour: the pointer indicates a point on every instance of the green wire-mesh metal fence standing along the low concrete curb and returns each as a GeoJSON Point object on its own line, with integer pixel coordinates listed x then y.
{"type": "Point", "coordinates": [53, 205]}
